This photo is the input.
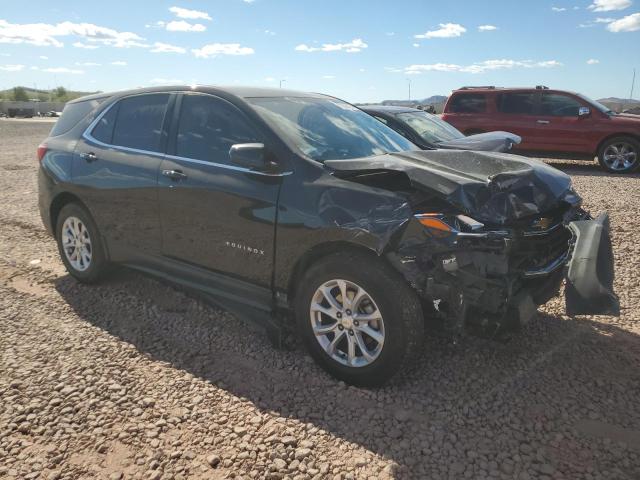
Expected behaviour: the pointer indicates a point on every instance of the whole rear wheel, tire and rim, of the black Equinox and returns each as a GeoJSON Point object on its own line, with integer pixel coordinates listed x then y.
{"type": "Point", "coordinates": [90, 271]}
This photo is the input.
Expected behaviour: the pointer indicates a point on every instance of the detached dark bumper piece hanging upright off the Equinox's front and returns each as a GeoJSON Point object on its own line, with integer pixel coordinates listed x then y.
{"type": "Point", "coordinates": [590, 272]}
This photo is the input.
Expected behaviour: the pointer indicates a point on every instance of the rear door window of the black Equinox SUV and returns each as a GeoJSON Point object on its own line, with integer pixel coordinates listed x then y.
{"type": "Point", "coordinates": [139, 122]}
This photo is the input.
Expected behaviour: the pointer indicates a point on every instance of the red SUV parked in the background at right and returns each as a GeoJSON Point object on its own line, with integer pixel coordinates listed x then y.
{"type": "Point", "coordinates": [549, 122]}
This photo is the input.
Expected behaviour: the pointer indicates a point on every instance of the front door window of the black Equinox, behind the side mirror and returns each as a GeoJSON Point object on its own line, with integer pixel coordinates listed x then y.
{"type": "Point", "coordinates": [208, 127]}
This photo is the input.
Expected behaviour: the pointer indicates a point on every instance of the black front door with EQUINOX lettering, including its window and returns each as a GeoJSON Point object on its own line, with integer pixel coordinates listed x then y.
{"type": "Point", "coordinates": [214, 214]}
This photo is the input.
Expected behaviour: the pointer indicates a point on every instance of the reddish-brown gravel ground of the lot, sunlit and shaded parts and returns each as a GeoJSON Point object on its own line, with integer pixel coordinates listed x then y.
{"type": "Point", "coordinates": [134, 379]}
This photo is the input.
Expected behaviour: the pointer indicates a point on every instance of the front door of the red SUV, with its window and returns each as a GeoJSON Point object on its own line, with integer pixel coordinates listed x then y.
{"type": "Point", "coordinates": [559, 126]}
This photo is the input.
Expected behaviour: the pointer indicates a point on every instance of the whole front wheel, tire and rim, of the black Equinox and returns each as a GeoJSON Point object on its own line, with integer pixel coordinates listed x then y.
{"type": "Point", "coordinates": [385, 293]}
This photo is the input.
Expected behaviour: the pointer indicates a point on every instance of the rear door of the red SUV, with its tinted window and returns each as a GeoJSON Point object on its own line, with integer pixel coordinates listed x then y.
{"type": "Point", "coordinates": [516, 113]}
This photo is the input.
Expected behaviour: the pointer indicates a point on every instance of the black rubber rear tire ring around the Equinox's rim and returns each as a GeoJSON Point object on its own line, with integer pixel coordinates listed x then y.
{"type": "Point", "coordinates": [98, 257]}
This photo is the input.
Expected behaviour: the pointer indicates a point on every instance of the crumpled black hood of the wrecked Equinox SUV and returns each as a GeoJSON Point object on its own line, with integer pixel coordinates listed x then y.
{"type": "Point", "coordinates": [491, 187]}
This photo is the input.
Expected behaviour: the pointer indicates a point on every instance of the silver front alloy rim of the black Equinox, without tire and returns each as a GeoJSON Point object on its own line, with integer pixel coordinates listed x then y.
{"type": "Point", "coordinates": [347, 323]}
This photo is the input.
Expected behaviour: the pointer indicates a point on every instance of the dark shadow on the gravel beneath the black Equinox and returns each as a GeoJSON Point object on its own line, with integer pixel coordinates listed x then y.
{"type": "Point", "coordinates": [474, 395]}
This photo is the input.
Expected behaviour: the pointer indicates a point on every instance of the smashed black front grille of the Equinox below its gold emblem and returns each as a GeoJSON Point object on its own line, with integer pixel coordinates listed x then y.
{"type": "Point", "coordinates": [535, 250]}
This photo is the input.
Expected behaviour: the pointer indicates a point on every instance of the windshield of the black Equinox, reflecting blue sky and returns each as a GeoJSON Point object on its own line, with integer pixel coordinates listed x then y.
{"type": "Point", "coordinates": [329, 129]}
